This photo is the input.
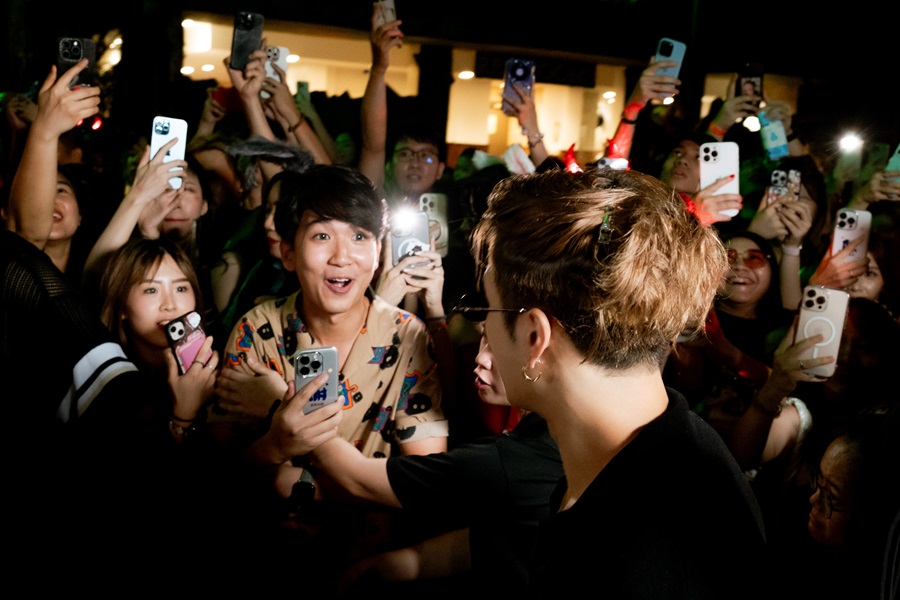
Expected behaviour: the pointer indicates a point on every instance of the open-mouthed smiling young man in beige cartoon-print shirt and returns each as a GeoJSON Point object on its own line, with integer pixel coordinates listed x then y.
{"type": "Point", "coordinates": [331, 222]}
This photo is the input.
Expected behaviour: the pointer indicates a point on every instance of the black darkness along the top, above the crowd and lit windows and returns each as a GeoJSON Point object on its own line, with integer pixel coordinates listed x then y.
{"type": "Point", "coordinates": [845, 59]}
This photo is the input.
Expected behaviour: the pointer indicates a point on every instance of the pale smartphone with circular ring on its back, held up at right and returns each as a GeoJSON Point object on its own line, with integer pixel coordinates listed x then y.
{"type": "Point", "coordinates": [823, 311]}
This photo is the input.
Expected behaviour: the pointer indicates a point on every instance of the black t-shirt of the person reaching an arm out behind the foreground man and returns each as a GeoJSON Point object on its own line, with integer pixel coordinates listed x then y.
{"type": "Point", "coordinates": [499, 487]}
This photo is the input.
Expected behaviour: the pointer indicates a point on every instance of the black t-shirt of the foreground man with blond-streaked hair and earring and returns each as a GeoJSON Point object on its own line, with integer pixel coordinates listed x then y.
{"type": "Point", "coordinates": [671, 516]}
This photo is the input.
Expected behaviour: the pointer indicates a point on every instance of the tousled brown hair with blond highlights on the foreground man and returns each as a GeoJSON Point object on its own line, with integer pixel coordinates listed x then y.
{"type": "Point", "coordinates": [614, 256]}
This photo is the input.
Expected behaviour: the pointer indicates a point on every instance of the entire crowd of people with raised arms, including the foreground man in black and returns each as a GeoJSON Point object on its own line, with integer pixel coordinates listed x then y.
{"type": "Point", "coordinates": [595, 386]}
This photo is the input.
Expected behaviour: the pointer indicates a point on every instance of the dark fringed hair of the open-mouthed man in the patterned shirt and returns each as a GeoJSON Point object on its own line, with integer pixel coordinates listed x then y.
{"type": "Point", "coordinates": [332, 192]}
